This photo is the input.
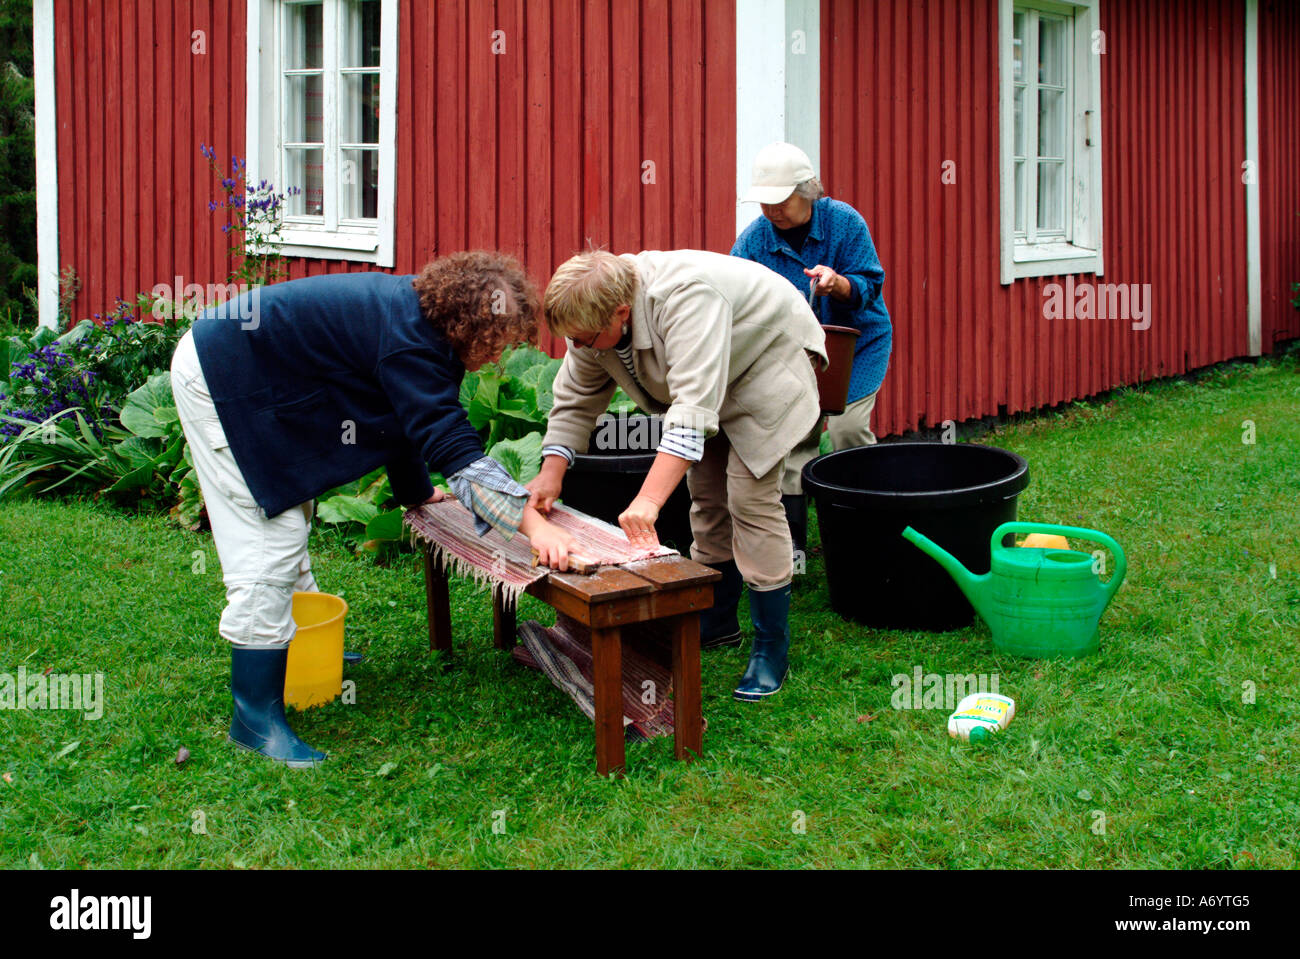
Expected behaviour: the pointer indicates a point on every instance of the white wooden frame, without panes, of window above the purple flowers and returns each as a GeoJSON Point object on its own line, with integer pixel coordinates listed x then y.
{"type": "Point", "coordinates": [331, 238]}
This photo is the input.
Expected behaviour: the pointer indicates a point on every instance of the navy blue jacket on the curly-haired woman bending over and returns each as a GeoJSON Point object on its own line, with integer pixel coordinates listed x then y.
{"type": "Point", "coordinates": [322, 380]}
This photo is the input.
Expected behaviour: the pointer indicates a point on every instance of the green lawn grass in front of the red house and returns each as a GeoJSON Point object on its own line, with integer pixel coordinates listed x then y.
{"type": "Point", "coordinates": [1154, 735]}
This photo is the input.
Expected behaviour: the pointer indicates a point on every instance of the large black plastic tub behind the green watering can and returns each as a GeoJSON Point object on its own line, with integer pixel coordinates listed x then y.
{"type": "Point", "coordinates": [956, 494]}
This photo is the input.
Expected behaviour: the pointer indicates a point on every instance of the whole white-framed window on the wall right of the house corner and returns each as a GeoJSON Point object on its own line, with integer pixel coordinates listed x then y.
{"type": "Point", "coordinates": [1051, 138]}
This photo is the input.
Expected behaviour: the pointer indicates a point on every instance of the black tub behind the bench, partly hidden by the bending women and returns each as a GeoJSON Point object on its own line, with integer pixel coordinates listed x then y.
{"type": "Point", "coordinates": [608, 478]}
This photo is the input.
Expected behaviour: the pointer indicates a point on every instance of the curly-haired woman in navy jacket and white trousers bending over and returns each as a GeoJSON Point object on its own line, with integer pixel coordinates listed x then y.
{"type": "Point", "coordinates": [297, 388]}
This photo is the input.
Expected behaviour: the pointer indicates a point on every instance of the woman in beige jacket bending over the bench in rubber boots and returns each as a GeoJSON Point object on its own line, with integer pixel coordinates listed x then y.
{"type": "Point", "coordinates": [721, 348]}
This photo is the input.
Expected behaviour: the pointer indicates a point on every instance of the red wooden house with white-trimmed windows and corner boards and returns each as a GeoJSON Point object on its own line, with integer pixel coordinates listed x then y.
{"type": "Point", "coordinates": [1068, 196]}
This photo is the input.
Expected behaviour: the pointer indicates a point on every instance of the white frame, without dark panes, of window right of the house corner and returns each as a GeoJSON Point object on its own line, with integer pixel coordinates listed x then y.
{"type": "Point", "coordinates": [1082, 250]}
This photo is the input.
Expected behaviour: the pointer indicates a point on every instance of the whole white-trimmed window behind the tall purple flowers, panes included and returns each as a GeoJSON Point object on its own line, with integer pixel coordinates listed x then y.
{"type": "Point", "coordinates": [323, 119]}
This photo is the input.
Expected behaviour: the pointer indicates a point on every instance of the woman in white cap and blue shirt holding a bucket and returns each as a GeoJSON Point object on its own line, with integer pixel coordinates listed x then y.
{"type": "Point", "coordinates": [812, 240]}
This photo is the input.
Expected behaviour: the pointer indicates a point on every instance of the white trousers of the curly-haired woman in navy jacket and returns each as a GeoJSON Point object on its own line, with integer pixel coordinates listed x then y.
{"type": "Point", "coordinates": [263, 561]}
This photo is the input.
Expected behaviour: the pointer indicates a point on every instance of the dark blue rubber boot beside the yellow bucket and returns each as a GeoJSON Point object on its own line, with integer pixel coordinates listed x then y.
{"type": "Point", "coordinates": [258, 687]}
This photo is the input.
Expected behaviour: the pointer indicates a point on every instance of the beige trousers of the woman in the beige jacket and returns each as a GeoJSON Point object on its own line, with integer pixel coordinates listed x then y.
{"type": "Point", "coordinates": [736, 515]}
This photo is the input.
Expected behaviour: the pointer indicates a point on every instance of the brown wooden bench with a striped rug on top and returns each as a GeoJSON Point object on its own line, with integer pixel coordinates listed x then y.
{"type": "Point", "coordinates": [671, 588]}
